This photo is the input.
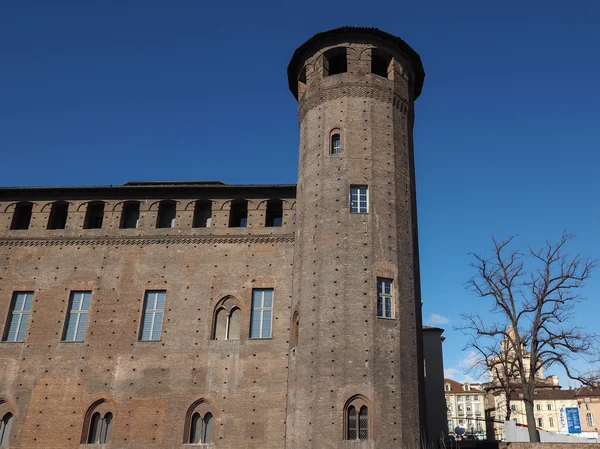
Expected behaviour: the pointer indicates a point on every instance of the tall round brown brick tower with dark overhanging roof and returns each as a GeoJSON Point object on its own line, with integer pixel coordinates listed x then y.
{"type": "Point", "coordinates": [356, 368]}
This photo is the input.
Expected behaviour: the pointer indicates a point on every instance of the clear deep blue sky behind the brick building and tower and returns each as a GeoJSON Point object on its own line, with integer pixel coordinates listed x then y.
{"type": "Point", "coordinates": [507, 128]}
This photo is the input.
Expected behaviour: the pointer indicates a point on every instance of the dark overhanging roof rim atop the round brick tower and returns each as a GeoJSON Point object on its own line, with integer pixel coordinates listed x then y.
{"type": "Point", "coordinates": [313, 43]}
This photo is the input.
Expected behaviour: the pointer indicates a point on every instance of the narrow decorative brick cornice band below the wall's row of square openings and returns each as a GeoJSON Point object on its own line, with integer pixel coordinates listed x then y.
{"type": "Point", "coordinates": [147, 240]}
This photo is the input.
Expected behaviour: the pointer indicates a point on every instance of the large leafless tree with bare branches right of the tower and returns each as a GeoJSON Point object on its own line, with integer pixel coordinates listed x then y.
{"type": "Point", "coordinates": [535, 305]}
